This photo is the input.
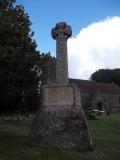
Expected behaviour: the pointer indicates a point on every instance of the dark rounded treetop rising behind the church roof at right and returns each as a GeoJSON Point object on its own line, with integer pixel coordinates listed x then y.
{"type": "Point", "coordinates": [107, 76]}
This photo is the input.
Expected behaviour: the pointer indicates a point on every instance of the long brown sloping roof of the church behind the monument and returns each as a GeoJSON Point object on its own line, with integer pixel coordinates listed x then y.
{"type": "Point", "coordinates": [91, 87]}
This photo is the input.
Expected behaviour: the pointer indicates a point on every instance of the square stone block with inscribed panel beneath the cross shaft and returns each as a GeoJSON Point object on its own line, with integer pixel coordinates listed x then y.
{"type": "Point", "coordinates": [61, 96]}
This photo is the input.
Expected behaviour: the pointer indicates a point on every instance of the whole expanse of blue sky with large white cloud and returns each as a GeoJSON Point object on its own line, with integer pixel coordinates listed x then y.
{"type": "Point", "coordinates": [95, 42]}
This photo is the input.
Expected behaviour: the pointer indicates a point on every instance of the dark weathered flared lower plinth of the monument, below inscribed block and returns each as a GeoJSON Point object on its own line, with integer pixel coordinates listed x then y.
{"type": "Point", "coordinates": [63, 129]}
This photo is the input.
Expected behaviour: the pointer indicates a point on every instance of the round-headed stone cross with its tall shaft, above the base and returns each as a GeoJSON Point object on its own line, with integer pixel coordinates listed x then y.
{"type": "Point", "coordinates": [61, 33]}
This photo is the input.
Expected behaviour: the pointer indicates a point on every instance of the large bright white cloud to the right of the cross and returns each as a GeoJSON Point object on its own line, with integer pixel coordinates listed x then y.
{"type": "Point", "coordinates": [96, 46]}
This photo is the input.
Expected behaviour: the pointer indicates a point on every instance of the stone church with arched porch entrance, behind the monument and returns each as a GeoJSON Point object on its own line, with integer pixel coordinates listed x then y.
{"type": "Point", "coordinates": [98, 96]}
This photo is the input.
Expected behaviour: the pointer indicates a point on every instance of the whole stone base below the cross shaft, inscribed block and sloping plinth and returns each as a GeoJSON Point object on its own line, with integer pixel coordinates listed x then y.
{"type": "Point", "coordinates": [61, 122]}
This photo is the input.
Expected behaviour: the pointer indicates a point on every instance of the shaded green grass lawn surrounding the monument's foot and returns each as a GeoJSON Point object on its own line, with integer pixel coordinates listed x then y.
{"type": "Point", "coordinates": [105, 134]}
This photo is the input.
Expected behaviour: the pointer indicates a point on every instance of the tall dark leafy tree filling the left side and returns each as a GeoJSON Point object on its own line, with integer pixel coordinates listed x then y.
{"type": "Point", "coordinates": [20, 63]}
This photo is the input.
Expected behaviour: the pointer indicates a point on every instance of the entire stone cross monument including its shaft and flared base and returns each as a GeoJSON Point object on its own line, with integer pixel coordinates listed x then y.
{"type": "Point", "coordinates": [60, 121]}
